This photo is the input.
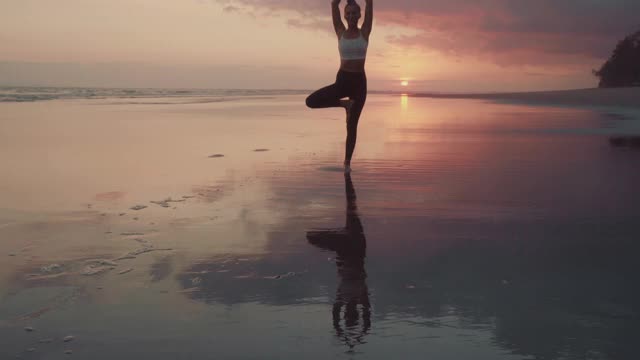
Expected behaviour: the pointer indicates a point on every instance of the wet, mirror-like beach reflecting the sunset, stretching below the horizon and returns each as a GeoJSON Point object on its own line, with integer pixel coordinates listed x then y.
{"type": "Point", "coordinates": [222, 226]}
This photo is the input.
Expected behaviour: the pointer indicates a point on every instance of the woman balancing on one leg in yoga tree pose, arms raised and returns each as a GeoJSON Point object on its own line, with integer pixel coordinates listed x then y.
{"type": "Point", "coordinates": [351, 80]}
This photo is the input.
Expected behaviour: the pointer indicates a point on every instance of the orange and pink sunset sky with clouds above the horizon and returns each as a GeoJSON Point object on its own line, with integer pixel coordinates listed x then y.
{"type": "Point", "coordinates": [434, 45]}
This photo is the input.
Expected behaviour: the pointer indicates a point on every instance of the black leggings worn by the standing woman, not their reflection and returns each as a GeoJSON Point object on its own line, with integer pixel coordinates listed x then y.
{"type": "Point", "coordinates": [348, 84]}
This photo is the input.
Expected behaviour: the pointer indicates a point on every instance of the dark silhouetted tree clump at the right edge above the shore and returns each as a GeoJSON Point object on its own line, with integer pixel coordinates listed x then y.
{"type": "Point", "coordinates": [623, 67]}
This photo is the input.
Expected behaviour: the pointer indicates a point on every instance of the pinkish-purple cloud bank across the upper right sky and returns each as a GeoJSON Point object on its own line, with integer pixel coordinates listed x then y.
{"type": "Point", "coordinates": [507, 32]}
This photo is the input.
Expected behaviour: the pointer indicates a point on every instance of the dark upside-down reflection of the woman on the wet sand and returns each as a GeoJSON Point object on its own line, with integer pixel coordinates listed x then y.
{"type": "Point", "coordinates": [350, 245]}
